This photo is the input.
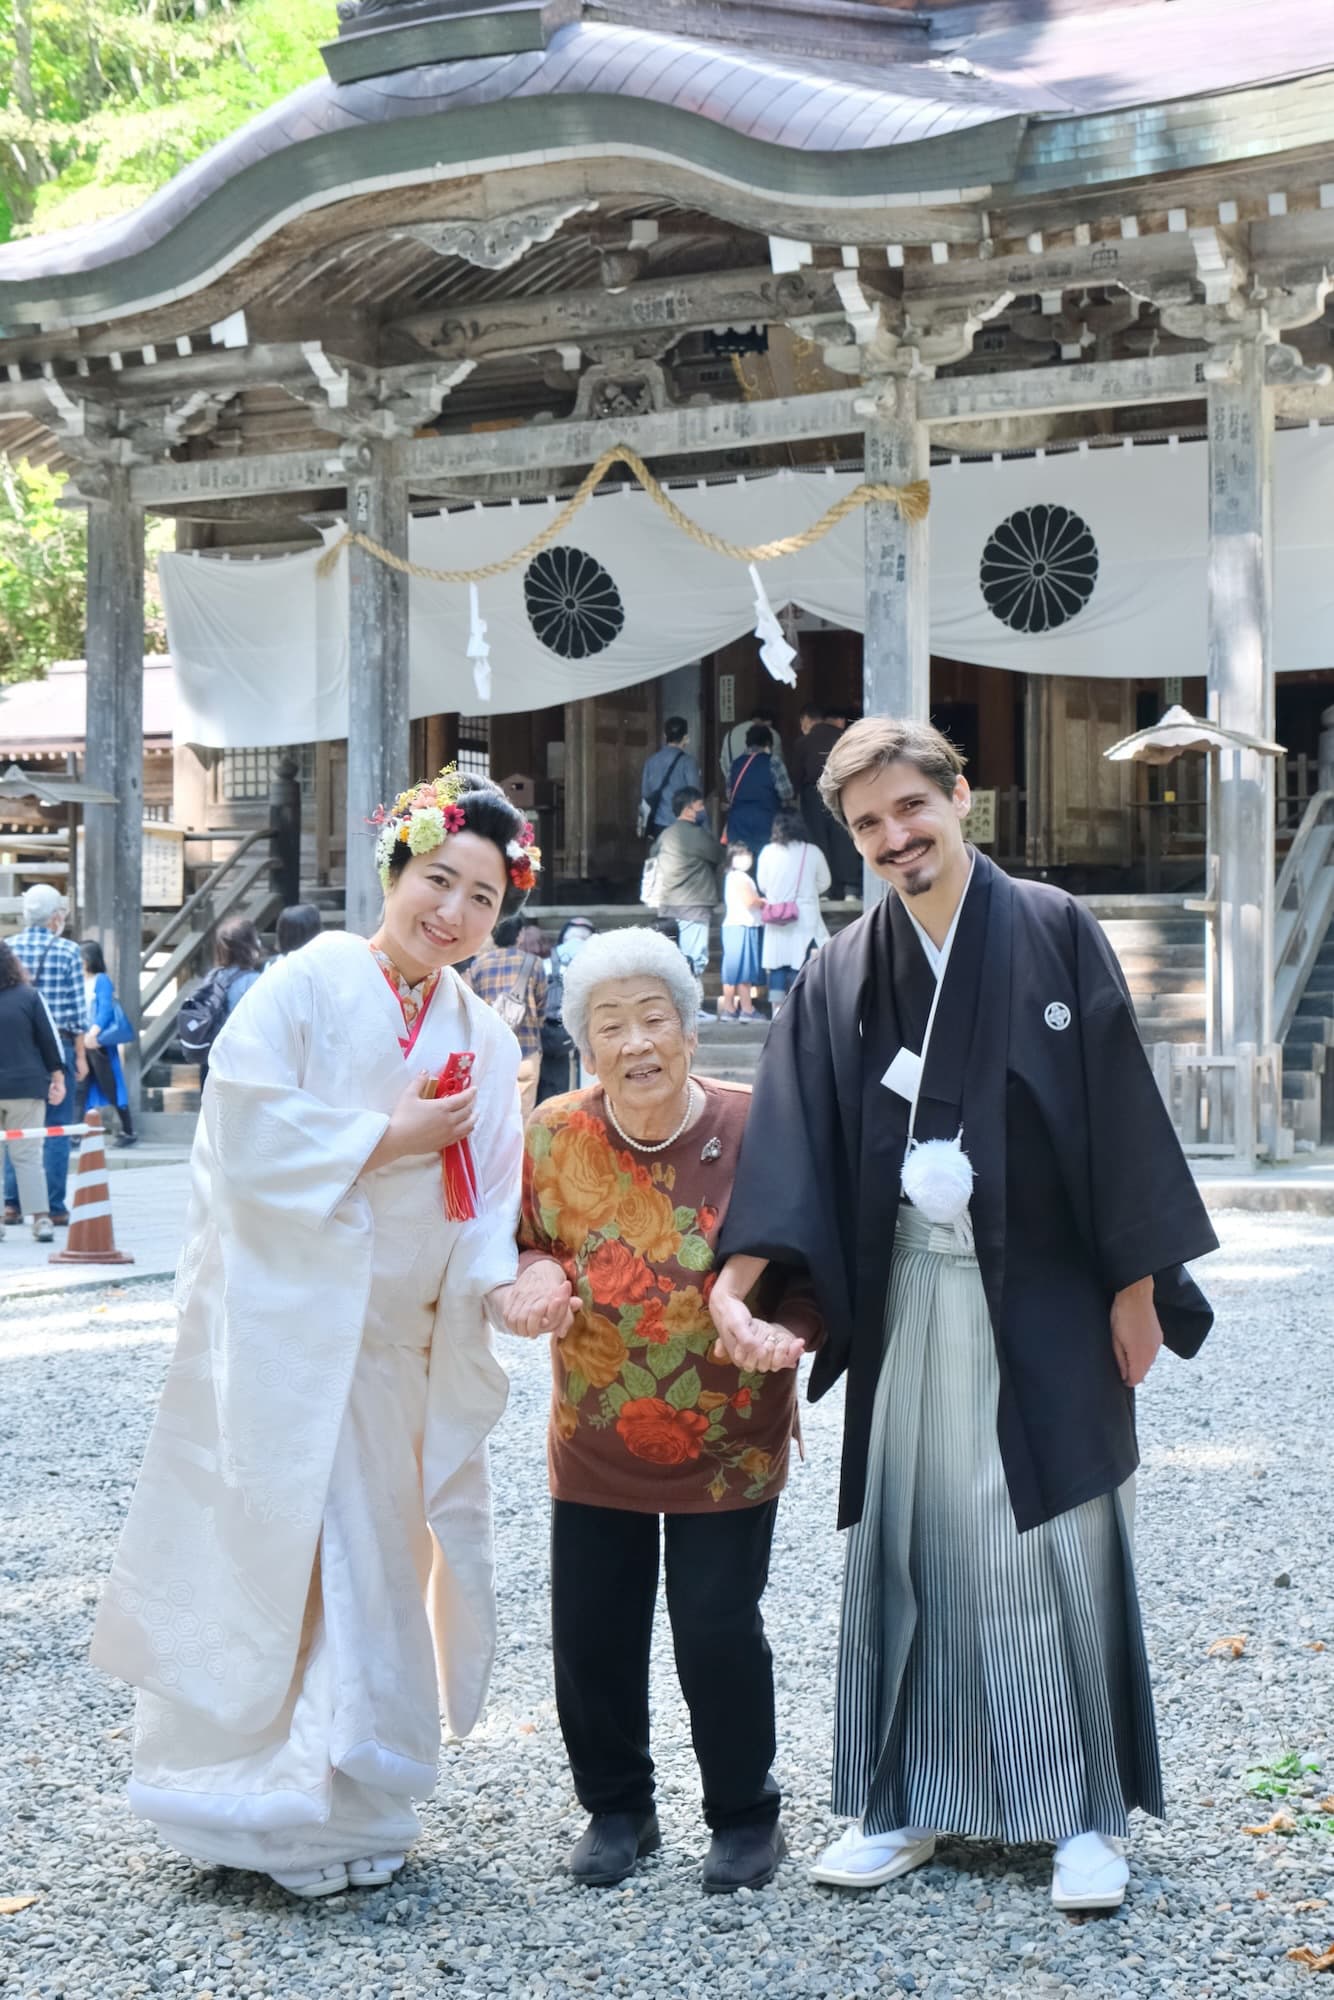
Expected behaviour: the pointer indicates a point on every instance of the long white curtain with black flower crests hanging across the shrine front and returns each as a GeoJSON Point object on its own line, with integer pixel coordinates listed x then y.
{"type": "Point", "coordinates": [1103, 551]}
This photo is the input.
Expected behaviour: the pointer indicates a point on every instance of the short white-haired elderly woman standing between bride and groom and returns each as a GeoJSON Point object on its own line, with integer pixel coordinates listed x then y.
{"type": "Point", "coordinates": [651, 1439]}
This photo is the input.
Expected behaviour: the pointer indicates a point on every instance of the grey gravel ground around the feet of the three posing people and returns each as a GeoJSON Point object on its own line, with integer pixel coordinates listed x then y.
{"type": "Point", "coordinates": [1233, 1533]}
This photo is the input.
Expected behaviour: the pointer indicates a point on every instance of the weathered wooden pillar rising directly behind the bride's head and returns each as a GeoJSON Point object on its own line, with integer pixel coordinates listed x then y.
{"type": "Point", "coordinates": [377, 673]}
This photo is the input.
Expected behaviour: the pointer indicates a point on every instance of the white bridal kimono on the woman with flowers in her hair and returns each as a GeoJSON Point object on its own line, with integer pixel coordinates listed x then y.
{"type": "Point", "coordinates": [307, 1567]}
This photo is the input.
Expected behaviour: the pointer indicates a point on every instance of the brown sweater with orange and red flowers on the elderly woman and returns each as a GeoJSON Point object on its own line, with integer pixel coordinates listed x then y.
{"type": "Point", "coordinates": [641, 1417]}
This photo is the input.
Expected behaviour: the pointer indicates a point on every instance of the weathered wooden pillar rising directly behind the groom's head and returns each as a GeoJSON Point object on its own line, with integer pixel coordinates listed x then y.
{"type": "Point", "coordinates": [897, 639]}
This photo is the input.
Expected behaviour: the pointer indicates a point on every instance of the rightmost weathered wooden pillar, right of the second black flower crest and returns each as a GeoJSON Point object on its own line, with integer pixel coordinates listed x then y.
{"type": "Point", "coordinates": [1241, 695]}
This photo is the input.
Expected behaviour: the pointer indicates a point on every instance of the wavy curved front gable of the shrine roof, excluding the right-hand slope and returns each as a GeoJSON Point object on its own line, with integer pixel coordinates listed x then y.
{"type": "Point", "coordinates": [739, 113]}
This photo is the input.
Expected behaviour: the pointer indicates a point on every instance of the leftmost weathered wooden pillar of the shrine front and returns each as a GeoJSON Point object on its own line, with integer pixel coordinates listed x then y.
{"type": "Point", "coordinates": [115, 737]}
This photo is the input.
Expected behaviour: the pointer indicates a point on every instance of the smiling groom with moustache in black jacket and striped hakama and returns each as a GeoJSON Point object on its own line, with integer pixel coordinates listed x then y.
{"type": "Point", "coordinates": [973, 1037]}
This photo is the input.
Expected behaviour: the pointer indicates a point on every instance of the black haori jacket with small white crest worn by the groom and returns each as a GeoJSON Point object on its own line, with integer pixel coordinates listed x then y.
{"type": "Point", "coordinates": [1081, 1185]}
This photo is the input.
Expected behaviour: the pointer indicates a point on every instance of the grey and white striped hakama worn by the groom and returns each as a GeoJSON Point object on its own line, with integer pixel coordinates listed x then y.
{"type": "Point", "coordinates": [989, 1683]}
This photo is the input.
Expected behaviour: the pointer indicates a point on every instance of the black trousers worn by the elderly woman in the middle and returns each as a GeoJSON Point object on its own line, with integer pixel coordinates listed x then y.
{"type": "Point", "coordinates": [605, 1585]}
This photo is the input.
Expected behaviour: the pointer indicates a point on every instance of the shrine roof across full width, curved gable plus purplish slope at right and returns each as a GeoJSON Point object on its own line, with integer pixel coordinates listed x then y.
{"type": "Point", "coordinates": [847, 137]}
